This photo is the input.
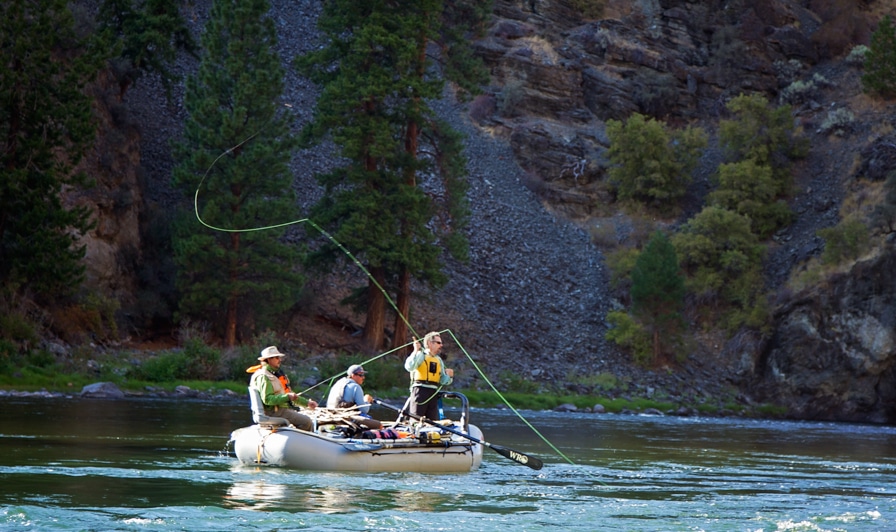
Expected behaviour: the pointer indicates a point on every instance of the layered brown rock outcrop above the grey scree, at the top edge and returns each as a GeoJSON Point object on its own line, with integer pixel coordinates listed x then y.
{"type": "Point", "coordinates": [560, 75]}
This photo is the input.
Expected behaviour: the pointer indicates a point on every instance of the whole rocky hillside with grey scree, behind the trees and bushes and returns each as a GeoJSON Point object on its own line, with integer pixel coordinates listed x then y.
{"type": "Point", "coordinates": [533, 299]}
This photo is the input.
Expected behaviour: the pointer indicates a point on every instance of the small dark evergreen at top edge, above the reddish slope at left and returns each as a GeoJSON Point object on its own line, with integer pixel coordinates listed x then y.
{"type": "Point", "coordinates": [150, 33]}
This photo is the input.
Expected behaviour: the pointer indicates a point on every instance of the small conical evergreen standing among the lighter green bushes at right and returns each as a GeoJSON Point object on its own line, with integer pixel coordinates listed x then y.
{"type": "Point", "coordinates": [658, 292]}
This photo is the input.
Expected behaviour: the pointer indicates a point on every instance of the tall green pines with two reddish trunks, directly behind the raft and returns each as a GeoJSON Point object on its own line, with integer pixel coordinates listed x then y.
{"type": "Point", "coordinates": [376, 80]}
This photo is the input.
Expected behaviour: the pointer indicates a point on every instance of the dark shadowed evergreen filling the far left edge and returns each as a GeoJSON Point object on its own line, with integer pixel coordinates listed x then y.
{"type": "Point", "coordinates": [46, 127]}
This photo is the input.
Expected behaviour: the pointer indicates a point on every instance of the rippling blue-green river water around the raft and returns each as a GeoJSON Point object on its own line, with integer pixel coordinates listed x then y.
{"type": "Point", "coordinates": [159, 464]}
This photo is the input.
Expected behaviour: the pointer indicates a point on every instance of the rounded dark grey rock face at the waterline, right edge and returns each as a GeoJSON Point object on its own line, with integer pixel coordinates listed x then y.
{"type": "Point", "coordinates": [833, 353]}
